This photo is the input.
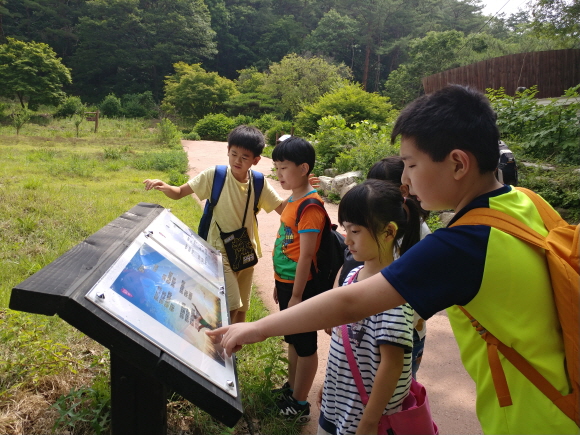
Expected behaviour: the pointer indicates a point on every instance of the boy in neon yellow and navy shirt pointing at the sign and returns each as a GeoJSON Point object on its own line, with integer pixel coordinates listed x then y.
{"type": "Point", "coordinates": [449, 146]}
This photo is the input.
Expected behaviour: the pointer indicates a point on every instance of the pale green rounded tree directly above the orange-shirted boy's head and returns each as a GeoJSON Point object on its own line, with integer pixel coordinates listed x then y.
{"type": "Point", "coordinates": [297, 81]}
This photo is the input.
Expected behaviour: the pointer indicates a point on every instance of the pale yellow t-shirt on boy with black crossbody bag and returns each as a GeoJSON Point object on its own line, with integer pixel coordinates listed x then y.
{"type": "Point", "coordinates": [229, 210]}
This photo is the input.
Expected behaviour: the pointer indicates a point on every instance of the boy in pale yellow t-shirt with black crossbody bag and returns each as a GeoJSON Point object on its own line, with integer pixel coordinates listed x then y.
{"type": "Point", "coordinates": [245, 145]}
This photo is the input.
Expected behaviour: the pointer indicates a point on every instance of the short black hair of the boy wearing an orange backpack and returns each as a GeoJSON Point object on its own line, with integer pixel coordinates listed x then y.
{"type": "Point", "coordinates": [455, 117]}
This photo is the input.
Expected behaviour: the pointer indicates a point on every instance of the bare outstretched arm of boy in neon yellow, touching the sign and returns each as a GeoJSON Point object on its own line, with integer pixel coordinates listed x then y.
{"type": "Point", "coordinates": [339, 306]}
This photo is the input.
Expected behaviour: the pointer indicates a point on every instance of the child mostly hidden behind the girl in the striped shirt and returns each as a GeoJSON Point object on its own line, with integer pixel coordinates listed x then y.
{"type": "Point", "coordinates": [391, 169]}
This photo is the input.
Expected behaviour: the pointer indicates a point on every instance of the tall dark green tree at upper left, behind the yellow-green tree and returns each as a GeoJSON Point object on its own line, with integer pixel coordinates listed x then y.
{"type": "Point", "coordinates": [130, 46]}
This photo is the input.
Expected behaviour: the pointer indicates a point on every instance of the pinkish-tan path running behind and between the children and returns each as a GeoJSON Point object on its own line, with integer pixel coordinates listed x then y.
{"type": "Point", "coordinates": [451, 391]}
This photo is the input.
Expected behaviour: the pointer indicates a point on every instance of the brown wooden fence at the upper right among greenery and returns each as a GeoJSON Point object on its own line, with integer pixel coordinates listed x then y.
{"type": "Point", "coordinates": [552, 71]}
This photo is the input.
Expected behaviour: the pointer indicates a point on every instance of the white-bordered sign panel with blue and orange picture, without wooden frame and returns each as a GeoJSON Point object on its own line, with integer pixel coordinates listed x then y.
{"type": "Point", "coordinates": [169, 287]}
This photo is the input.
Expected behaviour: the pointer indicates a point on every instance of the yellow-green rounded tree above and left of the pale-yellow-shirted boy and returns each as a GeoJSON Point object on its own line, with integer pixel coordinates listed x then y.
{"type": "Point", "coordinates": [193, 93]}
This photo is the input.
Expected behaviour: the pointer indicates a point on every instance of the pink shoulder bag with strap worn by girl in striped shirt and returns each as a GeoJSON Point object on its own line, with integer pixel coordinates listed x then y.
{"type": "Point", "coordinates": [415, 416]}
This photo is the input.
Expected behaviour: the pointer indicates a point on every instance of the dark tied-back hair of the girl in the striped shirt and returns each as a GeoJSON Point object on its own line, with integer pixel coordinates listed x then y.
{"type": "Point", "coordinates": [374, 204]}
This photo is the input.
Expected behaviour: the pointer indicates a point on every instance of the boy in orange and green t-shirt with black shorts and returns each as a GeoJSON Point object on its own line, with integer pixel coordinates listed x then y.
{"type": "Point", "coordinates": [294, 253]}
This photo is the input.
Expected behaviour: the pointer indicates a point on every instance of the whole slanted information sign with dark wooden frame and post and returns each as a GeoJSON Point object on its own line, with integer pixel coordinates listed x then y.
{"type": "Point", "coordinates": [147, 287]}
